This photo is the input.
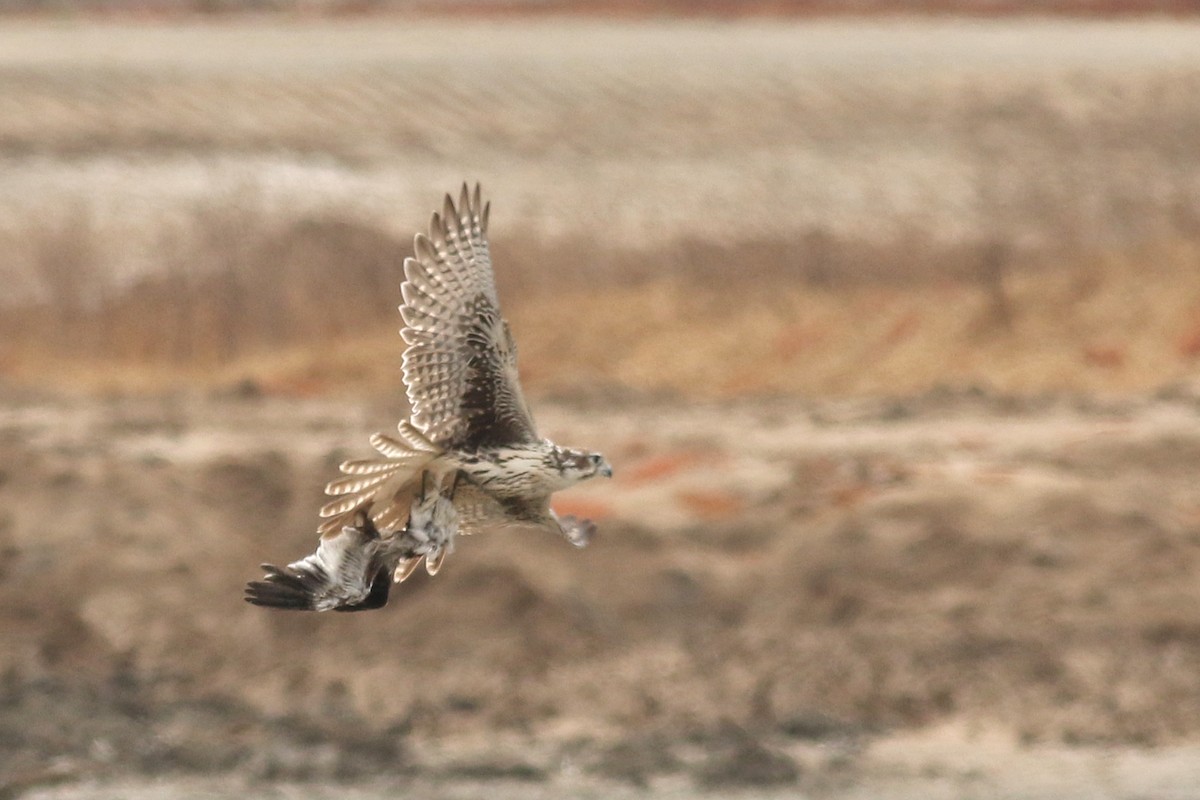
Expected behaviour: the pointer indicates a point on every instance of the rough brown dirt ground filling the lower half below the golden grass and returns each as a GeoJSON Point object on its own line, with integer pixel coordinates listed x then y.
{"type": "Point", "coordinates": [925, 597]}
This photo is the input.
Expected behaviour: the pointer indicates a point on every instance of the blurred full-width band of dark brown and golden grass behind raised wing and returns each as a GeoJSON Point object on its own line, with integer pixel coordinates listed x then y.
{"type": "Point", "coordinates": [309, 308]}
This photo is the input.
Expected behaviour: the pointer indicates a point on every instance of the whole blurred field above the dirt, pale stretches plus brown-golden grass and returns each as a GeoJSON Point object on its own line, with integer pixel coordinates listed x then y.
{"type": "Point", "coordinates": [1003, 202]}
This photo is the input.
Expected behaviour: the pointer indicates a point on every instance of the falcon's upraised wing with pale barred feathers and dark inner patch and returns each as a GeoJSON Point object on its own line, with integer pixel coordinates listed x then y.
{"type": "Point", "coordinates": [460, 368]}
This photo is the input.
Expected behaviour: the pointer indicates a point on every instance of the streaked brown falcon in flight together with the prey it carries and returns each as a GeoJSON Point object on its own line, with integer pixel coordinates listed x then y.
{"type": "Point", "coordinates": [467, 460]}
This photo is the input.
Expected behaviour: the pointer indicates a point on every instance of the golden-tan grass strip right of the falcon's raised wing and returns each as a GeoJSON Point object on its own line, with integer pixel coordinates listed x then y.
{"type": "Point", "coordinates": [1103, 324]}
